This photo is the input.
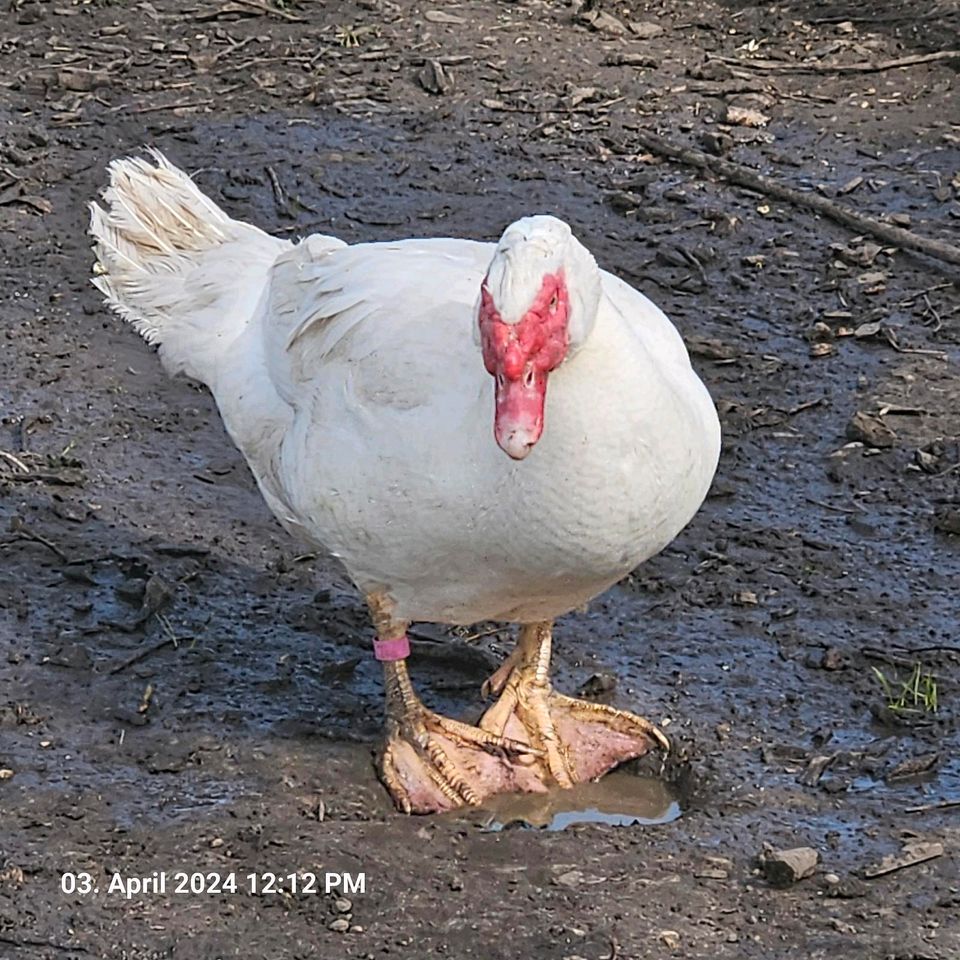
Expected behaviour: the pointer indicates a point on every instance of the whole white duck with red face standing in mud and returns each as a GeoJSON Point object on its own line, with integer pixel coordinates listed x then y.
{"type": "Point", "coordinates": [391, 401]}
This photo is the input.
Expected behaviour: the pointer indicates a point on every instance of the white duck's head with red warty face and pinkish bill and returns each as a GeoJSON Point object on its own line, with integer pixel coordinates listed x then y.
{"type": "Point", "coordinates": [538, 303]}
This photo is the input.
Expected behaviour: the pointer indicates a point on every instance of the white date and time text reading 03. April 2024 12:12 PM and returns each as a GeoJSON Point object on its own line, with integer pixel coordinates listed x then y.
{"type": "Point", "coordinates": [210, 883]}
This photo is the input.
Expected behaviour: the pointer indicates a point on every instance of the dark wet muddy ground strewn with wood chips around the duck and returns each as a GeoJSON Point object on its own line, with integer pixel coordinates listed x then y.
{"type": "Point", "coordinates": [824, 551]}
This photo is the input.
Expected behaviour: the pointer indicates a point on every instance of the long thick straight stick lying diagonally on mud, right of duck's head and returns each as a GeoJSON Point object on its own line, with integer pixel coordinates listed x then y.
{"type": "Point", "coordinates": [745, 177]}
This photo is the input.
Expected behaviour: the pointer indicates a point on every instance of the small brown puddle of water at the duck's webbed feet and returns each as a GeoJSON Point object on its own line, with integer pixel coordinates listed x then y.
{"type": "Point", "coordinates": [619, 799]}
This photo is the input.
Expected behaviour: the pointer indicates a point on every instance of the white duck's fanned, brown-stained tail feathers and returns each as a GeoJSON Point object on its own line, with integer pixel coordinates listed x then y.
{"type": "Point", "coordinates": [173, 264]}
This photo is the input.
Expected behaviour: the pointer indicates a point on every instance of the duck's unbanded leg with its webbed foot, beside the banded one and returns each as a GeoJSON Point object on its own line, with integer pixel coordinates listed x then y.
{"type": "Point", "coordinates": [580, 740]}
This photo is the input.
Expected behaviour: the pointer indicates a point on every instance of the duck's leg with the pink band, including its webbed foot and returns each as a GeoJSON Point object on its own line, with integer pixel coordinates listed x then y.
{"type": "Point", "coordinates": [431, 763]}
